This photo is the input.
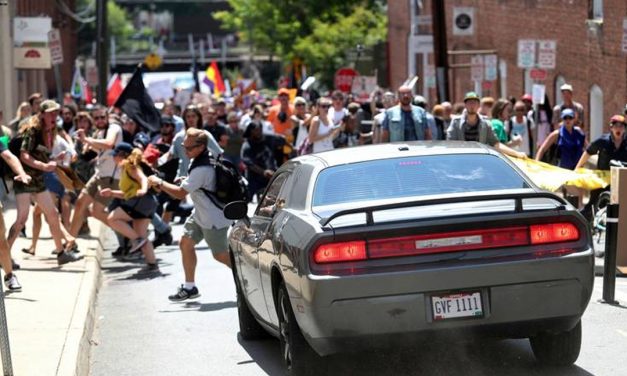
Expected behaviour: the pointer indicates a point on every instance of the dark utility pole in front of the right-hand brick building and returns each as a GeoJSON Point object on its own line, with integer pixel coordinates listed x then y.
{"type": "Point", "coordinates": [440, 49]}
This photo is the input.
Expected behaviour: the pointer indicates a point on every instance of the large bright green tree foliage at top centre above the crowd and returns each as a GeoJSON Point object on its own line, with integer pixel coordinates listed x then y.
{"type": "Point", "coordinates": [321, 33]}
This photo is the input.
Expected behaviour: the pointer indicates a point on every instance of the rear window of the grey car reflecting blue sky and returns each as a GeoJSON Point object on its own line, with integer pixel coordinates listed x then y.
{"type": "Point", "coordinates": [414, 176]}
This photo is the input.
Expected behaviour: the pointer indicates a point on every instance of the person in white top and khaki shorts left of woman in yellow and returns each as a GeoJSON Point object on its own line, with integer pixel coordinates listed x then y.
{"type": "Point", "coordinates": [106, 172]}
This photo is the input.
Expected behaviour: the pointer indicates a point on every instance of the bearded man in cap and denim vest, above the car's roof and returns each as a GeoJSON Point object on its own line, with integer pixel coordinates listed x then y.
{"type": "Point", "coordinates": [405, 122]}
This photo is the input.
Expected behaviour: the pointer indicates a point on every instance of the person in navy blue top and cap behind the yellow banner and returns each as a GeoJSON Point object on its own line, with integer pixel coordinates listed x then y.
{"type": "Point", "coordinates": [569, 139]}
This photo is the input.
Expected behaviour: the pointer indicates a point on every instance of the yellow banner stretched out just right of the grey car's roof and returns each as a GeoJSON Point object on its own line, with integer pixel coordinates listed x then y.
{"type": "Point", "coordinates": [552, 178]}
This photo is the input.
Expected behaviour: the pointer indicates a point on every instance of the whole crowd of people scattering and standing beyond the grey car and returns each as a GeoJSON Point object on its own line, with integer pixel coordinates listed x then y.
{"type": "Point", "coordinates": [69, 162]}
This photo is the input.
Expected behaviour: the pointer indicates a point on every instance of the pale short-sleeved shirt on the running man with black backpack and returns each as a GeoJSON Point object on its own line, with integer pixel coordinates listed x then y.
{"type": "Point", "coordinates": [206, 213]}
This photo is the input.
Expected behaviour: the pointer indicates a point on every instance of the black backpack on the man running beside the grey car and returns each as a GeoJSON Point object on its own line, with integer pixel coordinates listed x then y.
{"type": "Point", "coordinates": [230, 185]}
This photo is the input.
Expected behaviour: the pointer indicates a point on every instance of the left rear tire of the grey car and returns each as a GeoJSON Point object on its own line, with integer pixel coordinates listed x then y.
{"type": "Point", "coordinates": [299, 358]}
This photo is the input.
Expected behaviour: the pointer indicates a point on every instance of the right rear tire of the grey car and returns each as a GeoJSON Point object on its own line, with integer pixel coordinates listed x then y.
{"type": "Point", "coordinates": [561, 349]}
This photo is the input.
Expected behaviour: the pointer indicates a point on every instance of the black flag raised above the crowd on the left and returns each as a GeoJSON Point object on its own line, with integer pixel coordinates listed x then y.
{"type": "Point", "coordinates": [137, 104]}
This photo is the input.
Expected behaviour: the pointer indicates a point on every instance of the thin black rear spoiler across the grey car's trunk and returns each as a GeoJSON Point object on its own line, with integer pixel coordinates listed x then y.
{"type": "Point", "coordinates": [517, 195]}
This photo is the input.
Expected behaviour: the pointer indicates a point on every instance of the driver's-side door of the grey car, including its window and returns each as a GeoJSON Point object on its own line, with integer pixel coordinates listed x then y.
{"type": "Point", "coordinates": [259, 242]}
